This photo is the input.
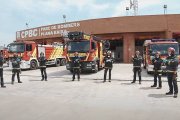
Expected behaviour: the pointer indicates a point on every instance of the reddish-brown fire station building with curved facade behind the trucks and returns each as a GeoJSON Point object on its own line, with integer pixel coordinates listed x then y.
{"type": "Point", "coordinates": [126, 34]}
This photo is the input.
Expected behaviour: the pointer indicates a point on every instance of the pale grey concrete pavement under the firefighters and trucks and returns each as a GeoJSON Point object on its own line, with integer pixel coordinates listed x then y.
{"type": "Point", "coordinates": [61, 99]}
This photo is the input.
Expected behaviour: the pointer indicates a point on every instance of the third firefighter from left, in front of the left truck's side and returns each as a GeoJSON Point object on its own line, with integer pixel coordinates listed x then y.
{"type": "Point", "coordinates": [42, 65]}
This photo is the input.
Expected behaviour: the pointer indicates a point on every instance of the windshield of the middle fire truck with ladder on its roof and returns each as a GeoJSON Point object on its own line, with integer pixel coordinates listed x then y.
{"type": "Point", "coordinates": [76, 46]}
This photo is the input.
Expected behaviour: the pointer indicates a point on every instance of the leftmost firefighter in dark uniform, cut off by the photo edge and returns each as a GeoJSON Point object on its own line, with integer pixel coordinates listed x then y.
{"type": "Point", "coordinates": [1, 70]}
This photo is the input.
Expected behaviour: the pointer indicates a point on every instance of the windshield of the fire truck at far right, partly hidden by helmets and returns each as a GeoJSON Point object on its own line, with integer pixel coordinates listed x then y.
{"type": "Point", "coordinates": [163, 48]}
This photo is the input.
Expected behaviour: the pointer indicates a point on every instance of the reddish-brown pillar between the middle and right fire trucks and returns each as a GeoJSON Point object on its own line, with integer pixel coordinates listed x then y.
{"type": "Point", "coordinates": [128, 47]}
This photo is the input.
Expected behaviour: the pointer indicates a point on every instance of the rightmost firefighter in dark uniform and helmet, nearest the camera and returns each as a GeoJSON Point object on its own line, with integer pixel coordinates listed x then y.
{"type": "Point", "coordinates": [171, 67]}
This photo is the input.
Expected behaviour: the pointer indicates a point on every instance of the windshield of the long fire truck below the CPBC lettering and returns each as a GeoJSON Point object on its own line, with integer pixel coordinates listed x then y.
{"type": "Point", "coordinates": [16, 48]}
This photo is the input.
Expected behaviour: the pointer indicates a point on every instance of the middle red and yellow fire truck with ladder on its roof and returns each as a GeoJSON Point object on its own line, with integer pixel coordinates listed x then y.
{"type": "Point", "coordinates": [90, 49]}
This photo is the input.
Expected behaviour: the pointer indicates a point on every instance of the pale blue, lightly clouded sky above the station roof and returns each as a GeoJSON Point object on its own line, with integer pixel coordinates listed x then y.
{"type": "Point", "coordinates": [14, 14]}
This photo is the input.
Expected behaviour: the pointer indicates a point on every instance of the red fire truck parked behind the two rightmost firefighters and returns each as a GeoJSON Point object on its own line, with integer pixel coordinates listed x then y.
{"type": "Point", "coordinates": [150, 47]}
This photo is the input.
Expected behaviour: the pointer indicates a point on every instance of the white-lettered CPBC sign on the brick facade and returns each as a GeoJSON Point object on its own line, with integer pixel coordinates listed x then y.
{"type": "Point", "coordinates": [46, 31]}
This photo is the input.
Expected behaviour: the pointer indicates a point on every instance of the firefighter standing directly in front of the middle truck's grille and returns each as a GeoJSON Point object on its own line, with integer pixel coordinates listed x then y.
{"type": "Point", "coordinates": [76, 66]}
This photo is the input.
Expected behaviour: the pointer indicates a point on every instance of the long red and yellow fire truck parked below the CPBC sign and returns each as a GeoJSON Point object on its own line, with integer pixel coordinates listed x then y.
{"type": "Point", "coordinates": [29, 52]}
